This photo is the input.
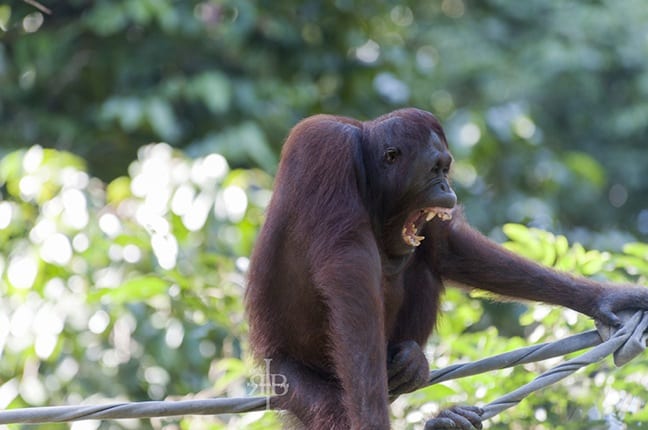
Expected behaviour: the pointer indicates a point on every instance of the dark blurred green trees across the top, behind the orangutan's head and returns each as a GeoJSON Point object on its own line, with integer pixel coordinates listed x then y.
{"type": "Point", "coordinates": [544, 102]}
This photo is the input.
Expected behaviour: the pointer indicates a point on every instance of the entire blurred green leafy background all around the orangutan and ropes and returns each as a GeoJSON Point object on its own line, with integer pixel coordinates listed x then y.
{"type": "Point", "coordinates": [123, 261]}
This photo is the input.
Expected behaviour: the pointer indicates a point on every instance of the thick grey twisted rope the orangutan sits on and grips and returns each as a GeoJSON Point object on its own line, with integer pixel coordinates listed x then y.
{"type": "Point", "coordinates": [625, 343]}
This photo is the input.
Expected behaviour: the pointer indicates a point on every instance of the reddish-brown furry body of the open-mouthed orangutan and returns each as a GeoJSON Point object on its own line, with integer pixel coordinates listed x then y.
{"type": "Point", "coordinates": [334, 292]}
